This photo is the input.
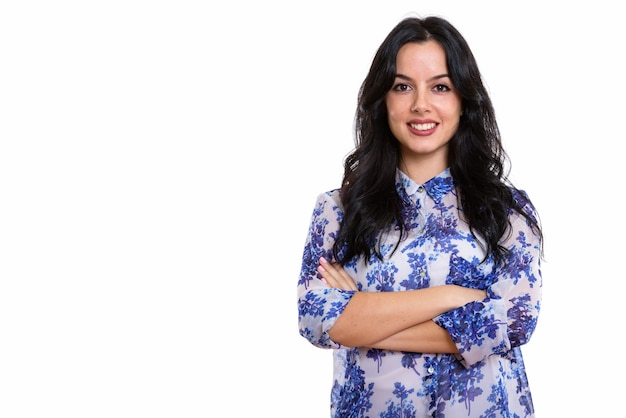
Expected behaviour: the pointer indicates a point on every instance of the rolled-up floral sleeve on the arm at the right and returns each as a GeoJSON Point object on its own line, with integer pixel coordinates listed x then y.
{"type": "Point", "coordinates": [508, 318]}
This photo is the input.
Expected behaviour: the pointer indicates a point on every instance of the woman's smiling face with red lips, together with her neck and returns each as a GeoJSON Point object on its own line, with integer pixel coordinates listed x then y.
{"type": "Point", "coordinates": [423, 109]}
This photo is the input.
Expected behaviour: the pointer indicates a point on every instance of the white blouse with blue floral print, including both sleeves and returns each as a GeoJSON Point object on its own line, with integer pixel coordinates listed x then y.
{"type": "Point", "coordinates": [487, 378]}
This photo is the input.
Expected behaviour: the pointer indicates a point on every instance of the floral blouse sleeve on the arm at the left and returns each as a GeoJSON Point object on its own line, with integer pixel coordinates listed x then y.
{"type": "Point", "coordinates": [318, 305]}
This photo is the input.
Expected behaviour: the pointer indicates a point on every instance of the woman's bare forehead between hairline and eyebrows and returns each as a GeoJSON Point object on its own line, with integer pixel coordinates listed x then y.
{"type": "Point", "coordinates": [422, 56]}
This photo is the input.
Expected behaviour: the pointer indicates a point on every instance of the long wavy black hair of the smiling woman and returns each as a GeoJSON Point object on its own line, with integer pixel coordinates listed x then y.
{"type": "Point", "coordinates": [476, 156]}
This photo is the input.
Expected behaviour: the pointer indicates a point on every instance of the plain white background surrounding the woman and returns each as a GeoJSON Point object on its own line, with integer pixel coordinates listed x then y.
{"type": "Point", "coordinates": [159, 161]}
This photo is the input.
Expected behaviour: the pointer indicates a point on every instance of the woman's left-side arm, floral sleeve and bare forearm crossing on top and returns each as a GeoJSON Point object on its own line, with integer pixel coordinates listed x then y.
{"type": "Point", "coordinates": [327, 308]}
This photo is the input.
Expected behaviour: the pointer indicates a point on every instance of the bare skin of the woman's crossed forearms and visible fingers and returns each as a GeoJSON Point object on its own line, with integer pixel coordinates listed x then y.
{"type": "Point", "coordinates": [395, 320]}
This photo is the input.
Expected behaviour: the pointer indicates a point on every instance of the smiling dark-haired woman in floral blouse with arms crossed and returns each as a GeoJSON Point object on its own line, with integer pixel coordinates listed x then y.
{"type": "Point", "coordinates": [422, 272]}
